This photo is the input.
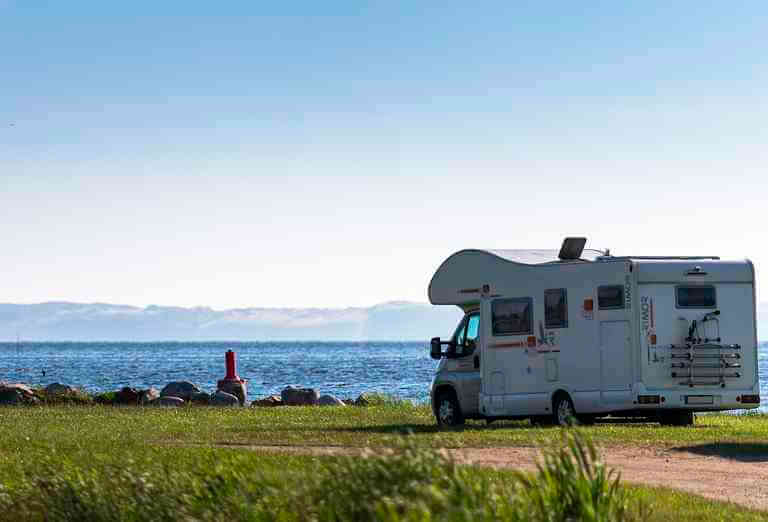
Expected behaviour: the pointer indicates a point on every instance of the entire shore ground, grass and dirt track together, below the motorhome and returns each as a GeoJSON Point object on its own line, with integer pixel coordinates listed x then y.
{"type": "Point", "coordinates": [385, 461]}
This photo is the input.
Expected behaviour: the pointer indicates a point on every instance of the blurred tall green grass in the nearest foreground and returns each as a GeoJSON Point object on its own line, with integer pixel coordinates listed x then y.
{"type": "Point", "coordinates": [408, 485]}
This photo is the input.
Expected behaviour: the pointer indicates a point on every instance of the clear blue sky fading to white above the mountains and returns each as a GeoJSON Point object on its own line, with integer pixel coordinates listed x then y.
{"type": "Point", "coordinates": [333, 154]}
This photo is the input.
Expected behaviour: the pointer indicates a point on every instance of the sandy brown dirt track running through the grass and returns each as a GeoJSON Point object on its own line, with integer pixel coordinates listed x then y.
{"type": "Point", "coordinates": [712, 472]}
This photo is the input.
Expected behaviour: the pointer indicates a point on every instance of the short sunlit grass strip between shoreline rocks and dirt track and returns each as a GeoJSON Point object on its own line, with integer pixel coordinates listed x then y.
{"type": "Point", "coordinates": [350, 426]}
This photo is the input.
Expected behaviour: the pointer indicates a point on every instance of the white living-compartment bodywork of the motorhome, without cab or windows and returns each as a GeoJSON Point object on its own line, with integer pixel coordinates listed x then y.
{"type": "Point", "coordinates": [603, 358]}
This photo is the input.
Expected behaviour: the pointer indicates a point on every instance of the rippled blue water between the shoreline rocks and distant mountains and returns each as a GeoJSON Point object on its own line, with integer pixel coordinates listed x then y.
{"type": "Point", "coordinates": [344, 369]}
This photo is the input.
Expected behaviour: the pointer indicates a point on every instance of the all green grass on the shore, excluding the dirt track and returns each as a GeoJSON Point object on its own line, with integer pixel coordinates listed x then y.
{"type": "Point", "coordinates": [105, 463]}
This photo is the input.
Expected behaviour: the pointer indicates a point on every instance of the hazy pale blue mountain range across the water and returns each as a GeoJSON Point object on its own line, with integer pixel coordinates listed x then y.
{"type": "Point", "coordinates": [60, 321]}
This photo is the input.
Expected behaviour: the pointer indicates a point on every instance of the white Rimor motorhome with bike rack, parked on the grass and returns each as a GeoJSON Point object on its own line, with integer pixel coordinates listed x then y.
{"type": "Point", "coordinates": [556, 336]}
